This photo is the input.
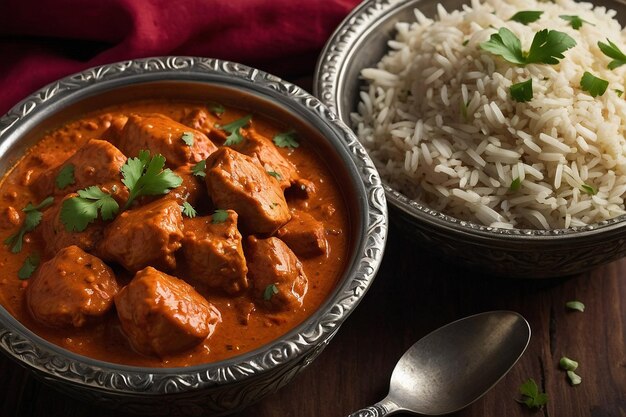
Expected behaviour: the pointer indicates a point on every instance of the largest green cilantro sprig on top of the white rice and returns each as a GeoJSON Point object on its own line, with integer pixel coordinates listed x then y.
{"type": "Point", "coordinates": [547, 47]}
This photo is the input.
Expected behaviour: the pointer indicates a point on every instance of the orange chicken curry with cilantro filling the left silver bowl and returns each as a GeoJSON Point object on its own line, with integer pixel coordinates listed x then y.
{"type": "Point", "coordinates": [167, 233]}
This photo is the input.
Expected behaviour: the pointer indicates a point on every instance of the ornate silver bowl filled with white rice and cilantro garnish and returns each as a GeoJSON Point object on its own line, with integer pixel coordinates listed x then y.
{"type": "Point", "coordinates": [498, 126]}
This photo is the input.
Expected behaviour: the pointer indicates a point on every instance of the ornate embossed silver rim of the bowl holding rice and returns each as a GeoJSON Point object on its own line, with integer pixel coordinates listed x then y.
{"type": "Point", "coordinates": [372, 18]}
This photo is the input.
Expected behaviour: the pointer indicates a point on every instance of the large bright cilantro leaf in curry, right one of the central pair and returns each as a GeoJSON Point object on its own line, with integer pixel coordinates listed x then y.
{"type": "Point", "coordinates": [145, 176]}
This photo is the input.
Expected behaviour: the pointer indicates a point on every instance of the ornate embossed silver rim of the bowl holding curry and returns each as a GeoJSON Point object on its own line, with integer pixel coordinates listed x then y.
{"type": "Point", "coordinates": [59, 364]}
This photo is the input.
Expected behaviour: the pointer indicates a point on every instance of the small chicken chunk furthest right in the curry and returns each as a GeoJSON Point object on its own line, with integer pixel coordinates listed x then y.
{"type": "Point", "coordinates": [304, 235]}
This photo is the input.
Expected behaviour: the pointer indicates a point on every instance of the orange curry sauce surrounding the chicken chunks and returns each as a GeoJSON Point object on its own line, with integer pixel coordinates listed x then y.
{"type": "Point", "coordinates": [246, 324]}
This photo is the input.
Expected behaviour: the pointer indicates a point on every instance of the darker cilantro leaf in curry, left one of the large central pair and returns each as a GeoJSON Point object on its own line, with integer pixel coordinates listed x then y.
{"type": "Point", "coordinates": [79, 211]}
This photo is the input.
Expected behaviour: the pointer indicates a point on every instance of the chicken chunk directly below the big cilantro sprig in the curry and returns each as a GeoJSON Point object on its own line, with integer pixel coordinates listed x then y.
{"type": "Point", "coordinates": [148, 235]}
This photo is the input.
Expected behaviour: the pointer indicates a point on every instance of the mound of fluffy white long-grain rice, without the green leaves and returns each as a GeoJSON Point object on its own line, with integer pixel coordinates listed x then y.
{"type": "Point", "coordinates": [438, 119]}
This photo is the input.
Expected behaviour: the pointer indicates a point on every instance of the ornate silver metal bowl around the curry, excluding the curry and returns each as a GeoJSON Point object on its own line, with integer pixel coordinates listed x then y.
{"type": "Point", "coordinates": [226, 386]}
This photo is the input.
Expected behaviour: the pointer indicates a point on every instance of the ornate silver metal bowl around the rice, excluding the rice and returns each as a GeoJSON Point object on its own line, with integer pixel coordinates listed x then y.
{"type": "Point", "coordinates": [359, 42]}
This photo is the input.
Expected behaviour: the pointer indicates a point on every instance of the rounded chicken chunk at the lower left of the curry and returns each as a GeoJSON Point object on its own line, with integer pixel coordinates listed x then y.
{"type": "Point", "coordinates": [71, 289]}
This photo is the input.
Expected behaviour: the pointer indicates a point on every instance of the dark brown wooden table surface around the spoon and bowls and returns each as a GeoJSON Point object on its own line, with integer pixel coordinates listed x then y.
{"type": "Point", "coordinates": [413, 294]}
